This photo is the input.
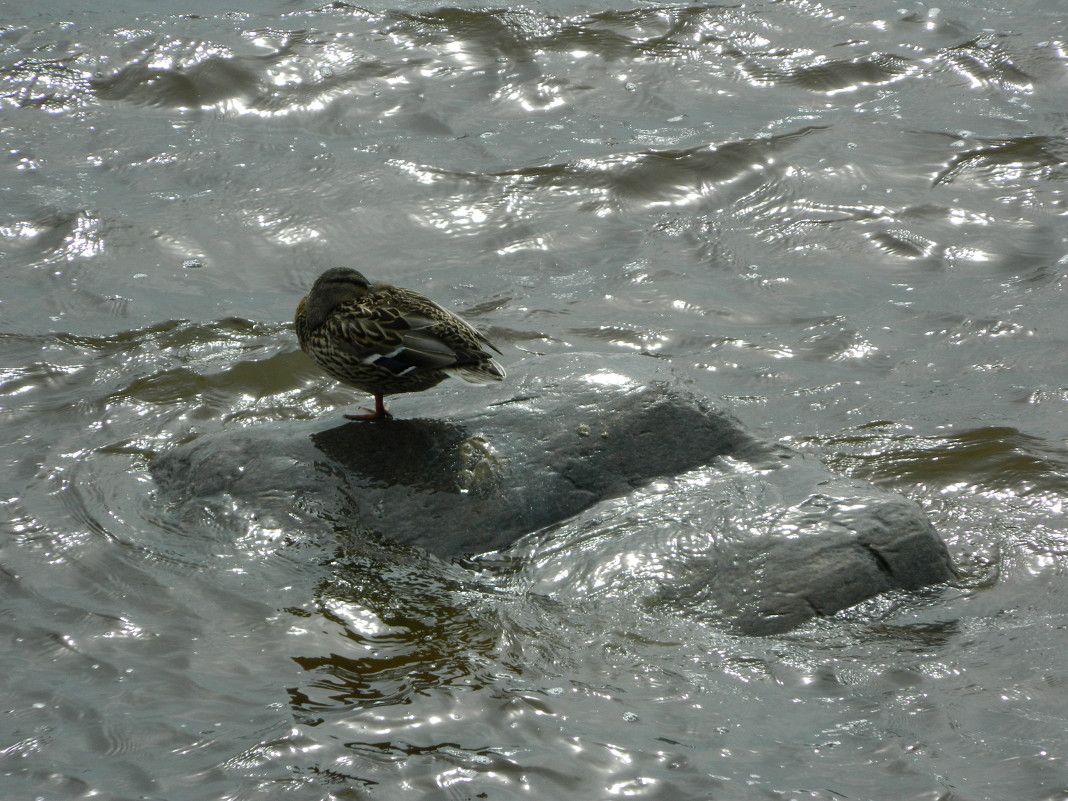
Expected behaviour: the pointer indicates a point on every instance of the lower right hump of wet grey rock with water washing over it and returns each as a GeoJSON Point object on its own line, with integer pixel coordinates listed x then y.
{"type": "Point", "coordinates": [761, 552]}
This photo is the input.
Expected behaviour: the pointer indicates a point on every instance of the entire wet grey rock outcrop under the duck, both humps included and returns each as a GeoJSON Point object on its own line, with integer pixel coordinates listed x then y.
{"type": "Point", "coordinates": [596, 483]}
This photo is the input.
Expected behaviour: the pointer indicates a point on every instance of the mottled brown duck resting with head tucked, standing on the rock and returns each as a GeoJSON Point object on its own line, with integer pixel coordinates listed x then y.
{"type": "Point", "coordinates": [386, 340]}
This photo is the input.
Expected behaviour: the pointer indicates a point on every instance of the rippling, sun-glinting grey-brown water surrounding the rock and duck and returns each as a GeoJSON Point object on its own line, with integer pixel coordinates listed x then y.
{"type": "Point", "coordinates": [845, 222]}
